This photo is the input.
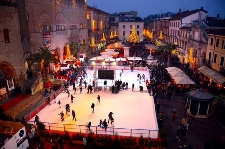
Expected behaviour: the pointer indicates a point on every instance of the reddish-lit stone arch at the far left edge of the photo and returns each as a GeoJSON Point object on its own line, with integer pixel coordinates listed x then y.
{"type": "Point", "coordinates": [8, 70]}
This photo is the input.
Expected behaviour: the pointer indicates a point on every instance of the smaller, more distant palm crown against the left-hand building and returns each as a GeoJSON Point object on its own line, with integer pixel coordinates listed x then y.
{"type": "Point", "coordinates": [76, 47]}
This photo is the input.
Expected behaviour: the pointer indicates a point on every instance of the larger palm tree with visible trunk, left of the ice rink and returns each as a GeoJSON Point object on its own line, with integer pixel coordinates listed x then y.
{"type": "Point", "coordinates": [45, 57]}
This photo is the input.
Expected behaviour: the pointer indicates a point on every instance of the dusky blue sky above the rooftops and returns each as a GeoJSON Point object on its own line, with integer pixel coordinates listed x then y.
{"type": "Point", "coordinates": [146, 7]}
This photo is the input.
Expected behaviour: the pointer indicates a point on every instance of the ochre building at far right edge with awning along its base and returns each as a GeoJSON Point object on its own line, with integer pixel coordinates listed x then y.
{"type": "Point", "coordinates": [215, 57]}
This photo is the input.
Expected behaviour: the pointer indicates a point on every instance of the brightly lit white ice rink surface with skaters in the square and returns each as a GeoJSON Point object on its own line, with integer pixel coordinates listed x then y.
{"type": "Point", "coordinates": [133, 112]}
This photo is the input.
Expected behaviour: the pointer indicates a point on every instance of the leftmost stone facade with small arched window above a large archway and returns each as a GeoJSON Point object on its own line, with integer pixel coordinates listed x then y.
{"type": "Point", "coordinates": [12, 61]}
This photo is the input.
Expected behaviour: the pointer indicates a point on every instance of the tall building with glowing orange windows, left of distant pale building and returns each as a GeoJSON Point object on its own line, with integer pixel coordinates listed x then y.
{"type": "Point", "coordinates": [98, 29]}
